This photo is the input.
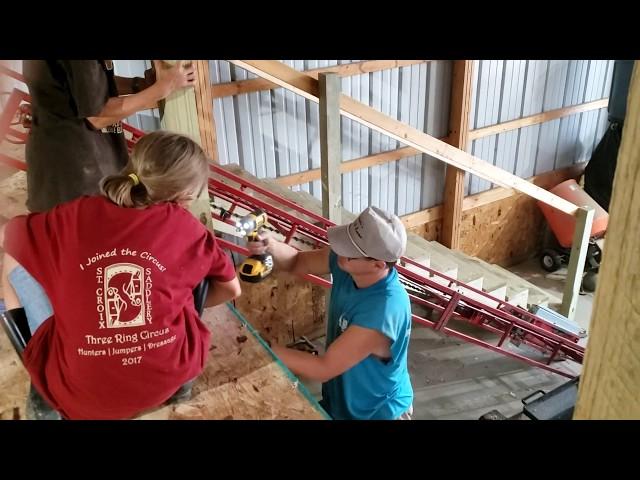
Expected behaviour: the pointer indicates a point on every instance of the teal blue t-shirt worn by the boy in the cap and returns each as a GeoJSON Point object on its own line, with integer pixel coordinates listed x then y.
{"type": "Point", "coordinates": [374, 389]}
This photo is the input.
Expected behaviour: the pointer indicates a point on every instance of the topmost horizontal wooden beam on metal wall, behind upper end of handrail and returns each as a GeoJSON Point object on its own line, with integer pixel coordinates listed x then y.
{"type": "Point", "coordinates": [220, 90]}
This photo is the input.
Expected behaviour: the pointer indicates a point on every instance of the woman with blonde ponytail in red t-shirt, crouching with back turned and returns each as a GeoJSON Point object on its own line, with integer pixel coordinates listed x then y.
{"type": "Point", "coordinates": [106, 283]}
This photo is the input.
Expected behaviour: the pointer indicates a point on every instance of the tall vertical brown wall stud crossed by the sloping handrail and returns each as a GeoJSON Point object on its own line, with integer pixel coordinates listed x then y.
{"type": "Point", "coordinates": [458, 135]}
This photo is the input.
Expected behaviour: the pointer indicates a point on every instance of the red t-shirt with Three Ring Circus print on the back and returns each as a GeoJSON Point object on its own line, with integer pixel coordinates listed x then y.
{"type": "Point", "coordinates": [125, 334]}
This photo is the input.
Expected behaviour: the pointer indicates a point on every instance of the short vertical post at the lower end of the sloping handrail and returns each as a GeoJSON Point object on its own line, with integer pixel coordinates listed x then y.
{"type": "Point", "coordinates": [584, 221]}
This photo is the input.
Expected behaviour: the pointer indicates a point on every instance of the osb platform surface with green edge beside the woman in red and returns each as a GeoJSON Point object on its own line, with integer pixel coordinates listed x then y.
{"type": "Point", "coordinates": [240, 381]}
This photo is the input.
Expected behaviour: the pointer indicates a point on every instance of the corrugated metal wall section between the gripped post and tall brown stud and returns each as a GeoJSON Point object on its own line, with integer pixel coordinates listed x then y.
{"type": "Point", "coordinates": [275, 133]}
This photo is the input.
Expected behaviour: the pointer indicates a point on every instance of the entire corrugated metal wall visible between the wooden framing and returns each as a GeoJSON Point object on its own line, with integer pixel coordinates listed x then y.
{"type": "Point", "coordinates": [276, 133]}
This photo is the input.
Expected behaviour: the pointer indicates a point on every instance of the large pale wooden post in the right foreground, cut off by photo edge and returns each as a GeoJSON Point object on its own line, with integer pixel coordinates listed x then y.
{"type": "Point", "coordinates": [610, 381]}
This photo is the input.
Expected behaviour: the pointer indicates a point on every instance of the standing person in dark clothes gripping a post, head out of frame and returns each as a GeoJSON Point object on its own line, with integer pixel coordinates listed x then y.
{"type": "Point", "coordinates": [76, 136]}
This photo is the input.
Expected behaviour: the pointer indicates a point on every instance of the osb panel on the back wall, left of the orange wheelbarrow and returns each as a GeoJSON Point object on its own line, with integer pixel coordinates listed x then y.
{"type": "Point", "coordinates": [504, 232]}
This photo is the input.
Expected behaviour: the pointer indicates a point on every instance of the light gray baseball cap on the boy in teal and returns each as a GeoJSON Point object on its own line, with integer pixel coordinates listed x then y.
{"type": "Point", "coordinates": [375, 234]}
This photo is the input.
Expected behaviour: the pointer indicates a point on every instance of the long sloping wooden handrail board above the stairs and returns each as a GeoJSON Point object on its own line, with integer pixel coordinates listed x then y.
{"type": "Point", "coordinates": [307, 87]}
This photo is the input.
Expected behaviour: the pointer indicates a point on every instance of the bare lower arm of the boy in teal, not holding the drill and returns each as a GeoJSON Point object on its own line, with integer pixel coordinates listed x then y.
{"type": "Point", "coordinates": [354, 345]}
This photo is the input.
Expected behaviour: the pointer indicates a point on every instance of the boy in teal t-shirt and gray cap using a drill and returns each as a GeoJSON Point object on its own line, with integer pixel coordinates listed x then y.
{"type": "Point", "coordinates": [364, 370]}
